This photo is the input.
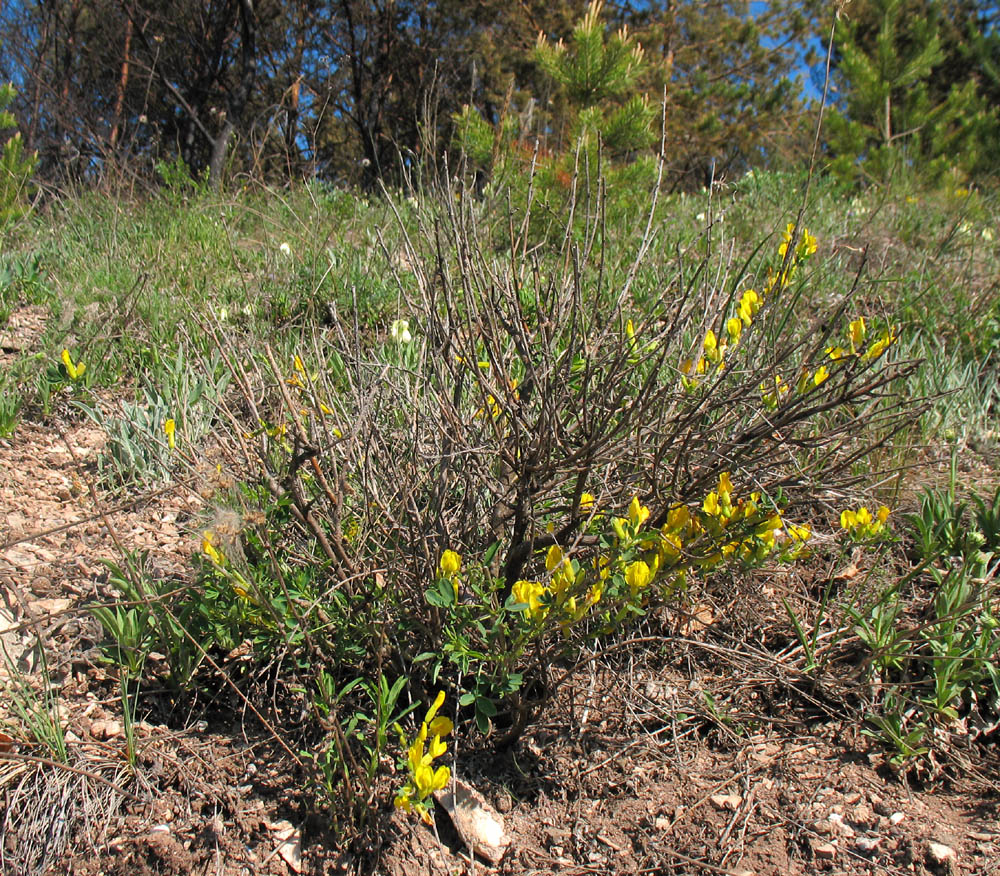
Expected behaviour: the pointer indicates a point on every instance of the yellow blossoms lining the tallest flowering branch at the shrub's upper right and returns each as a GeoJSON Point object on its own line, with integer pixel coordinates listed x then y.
{"type": "Point", "coordinates": [714, 348]}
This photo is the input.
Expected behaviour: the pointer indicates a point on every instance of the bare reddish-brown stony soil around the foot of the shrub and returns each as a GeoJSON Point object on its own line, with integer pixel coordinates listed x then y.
{"type": "Point", "coordinates": [687, 753]}
